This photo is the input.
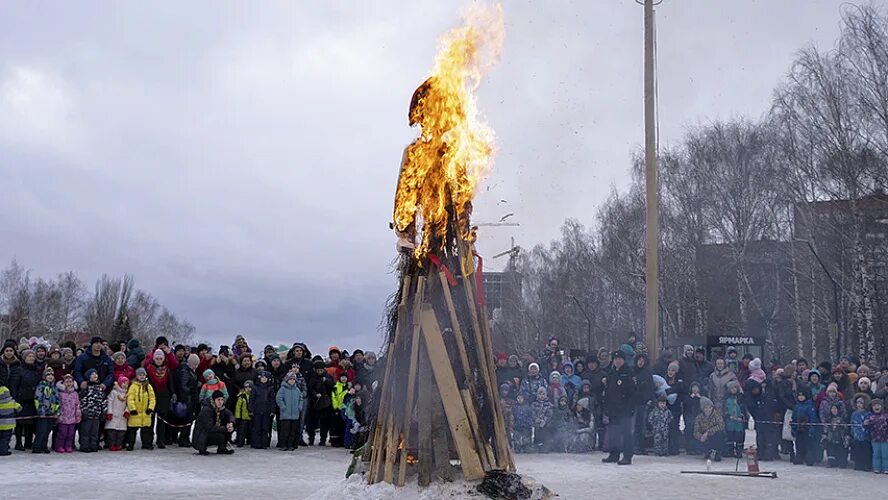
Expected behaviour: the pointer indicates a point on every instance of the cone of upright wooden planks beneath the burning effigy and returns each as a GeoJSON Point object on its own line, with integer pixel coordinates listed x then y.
{"type": "Point", "coordinates": [439, 396]}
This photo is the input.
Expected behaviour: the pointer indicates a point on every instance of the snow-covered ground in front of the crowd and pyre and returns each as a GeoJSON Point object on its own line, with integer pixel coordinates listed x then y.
{"type": "Point", "coordinates": [318, 474]}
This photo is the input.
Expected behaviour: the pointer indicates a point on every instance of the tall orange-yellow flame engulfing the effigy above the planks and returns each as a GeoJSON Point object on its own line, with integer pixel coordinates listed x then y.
{"type": "Point", "coordinates": [442, 168]}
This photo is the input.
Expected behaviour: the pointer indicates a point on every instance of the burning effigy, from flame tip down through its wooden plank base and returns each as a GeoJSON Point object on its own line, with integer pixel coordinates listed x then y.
{"type": "Point", "coordinates": [438, 412]}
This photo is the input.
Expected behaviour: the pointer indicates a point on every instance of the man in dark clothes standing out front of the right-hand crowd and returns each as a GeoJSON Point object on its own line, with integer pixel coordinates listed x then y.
{"type": "Point", "coordinates": [619, 400]}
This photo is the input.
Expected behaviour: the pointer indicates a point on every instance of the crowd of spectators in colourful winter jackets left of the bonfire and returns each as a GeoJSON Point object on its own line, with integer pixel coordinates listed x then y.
{"type": "Point", "coordinates": [111, 395]}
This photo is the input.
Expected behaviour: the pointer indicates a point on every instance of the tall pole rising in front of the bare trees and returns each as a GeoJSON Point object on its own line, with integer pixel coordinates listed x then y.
{"type": "Point", "coordinates": [652, 240]}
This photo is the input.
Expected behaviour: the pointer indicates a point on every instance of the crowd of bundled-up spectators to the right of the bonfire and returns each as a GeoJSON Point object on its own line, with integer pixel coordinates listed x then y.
{"type": "Point", "coordinates": [622, 403]}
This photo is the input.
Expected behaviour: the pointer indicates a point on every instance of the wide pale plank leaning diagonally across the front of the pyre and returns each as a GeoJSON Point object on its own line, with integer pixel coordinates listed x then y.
{"type": "Point", "coordinates": [456, 416]}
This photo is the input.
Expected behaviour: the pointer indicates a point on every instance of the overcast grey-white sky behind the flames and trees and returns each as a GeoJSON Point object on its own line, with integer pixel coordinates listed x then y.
{"type": "Point", "coordinates": [240, 158]}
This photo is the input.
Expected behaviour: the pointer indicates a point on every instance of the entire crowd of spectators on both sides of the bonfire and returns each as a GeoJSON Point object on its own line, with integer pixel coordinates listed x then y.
{"type": "Point", "coordinates": [111, 395]}
